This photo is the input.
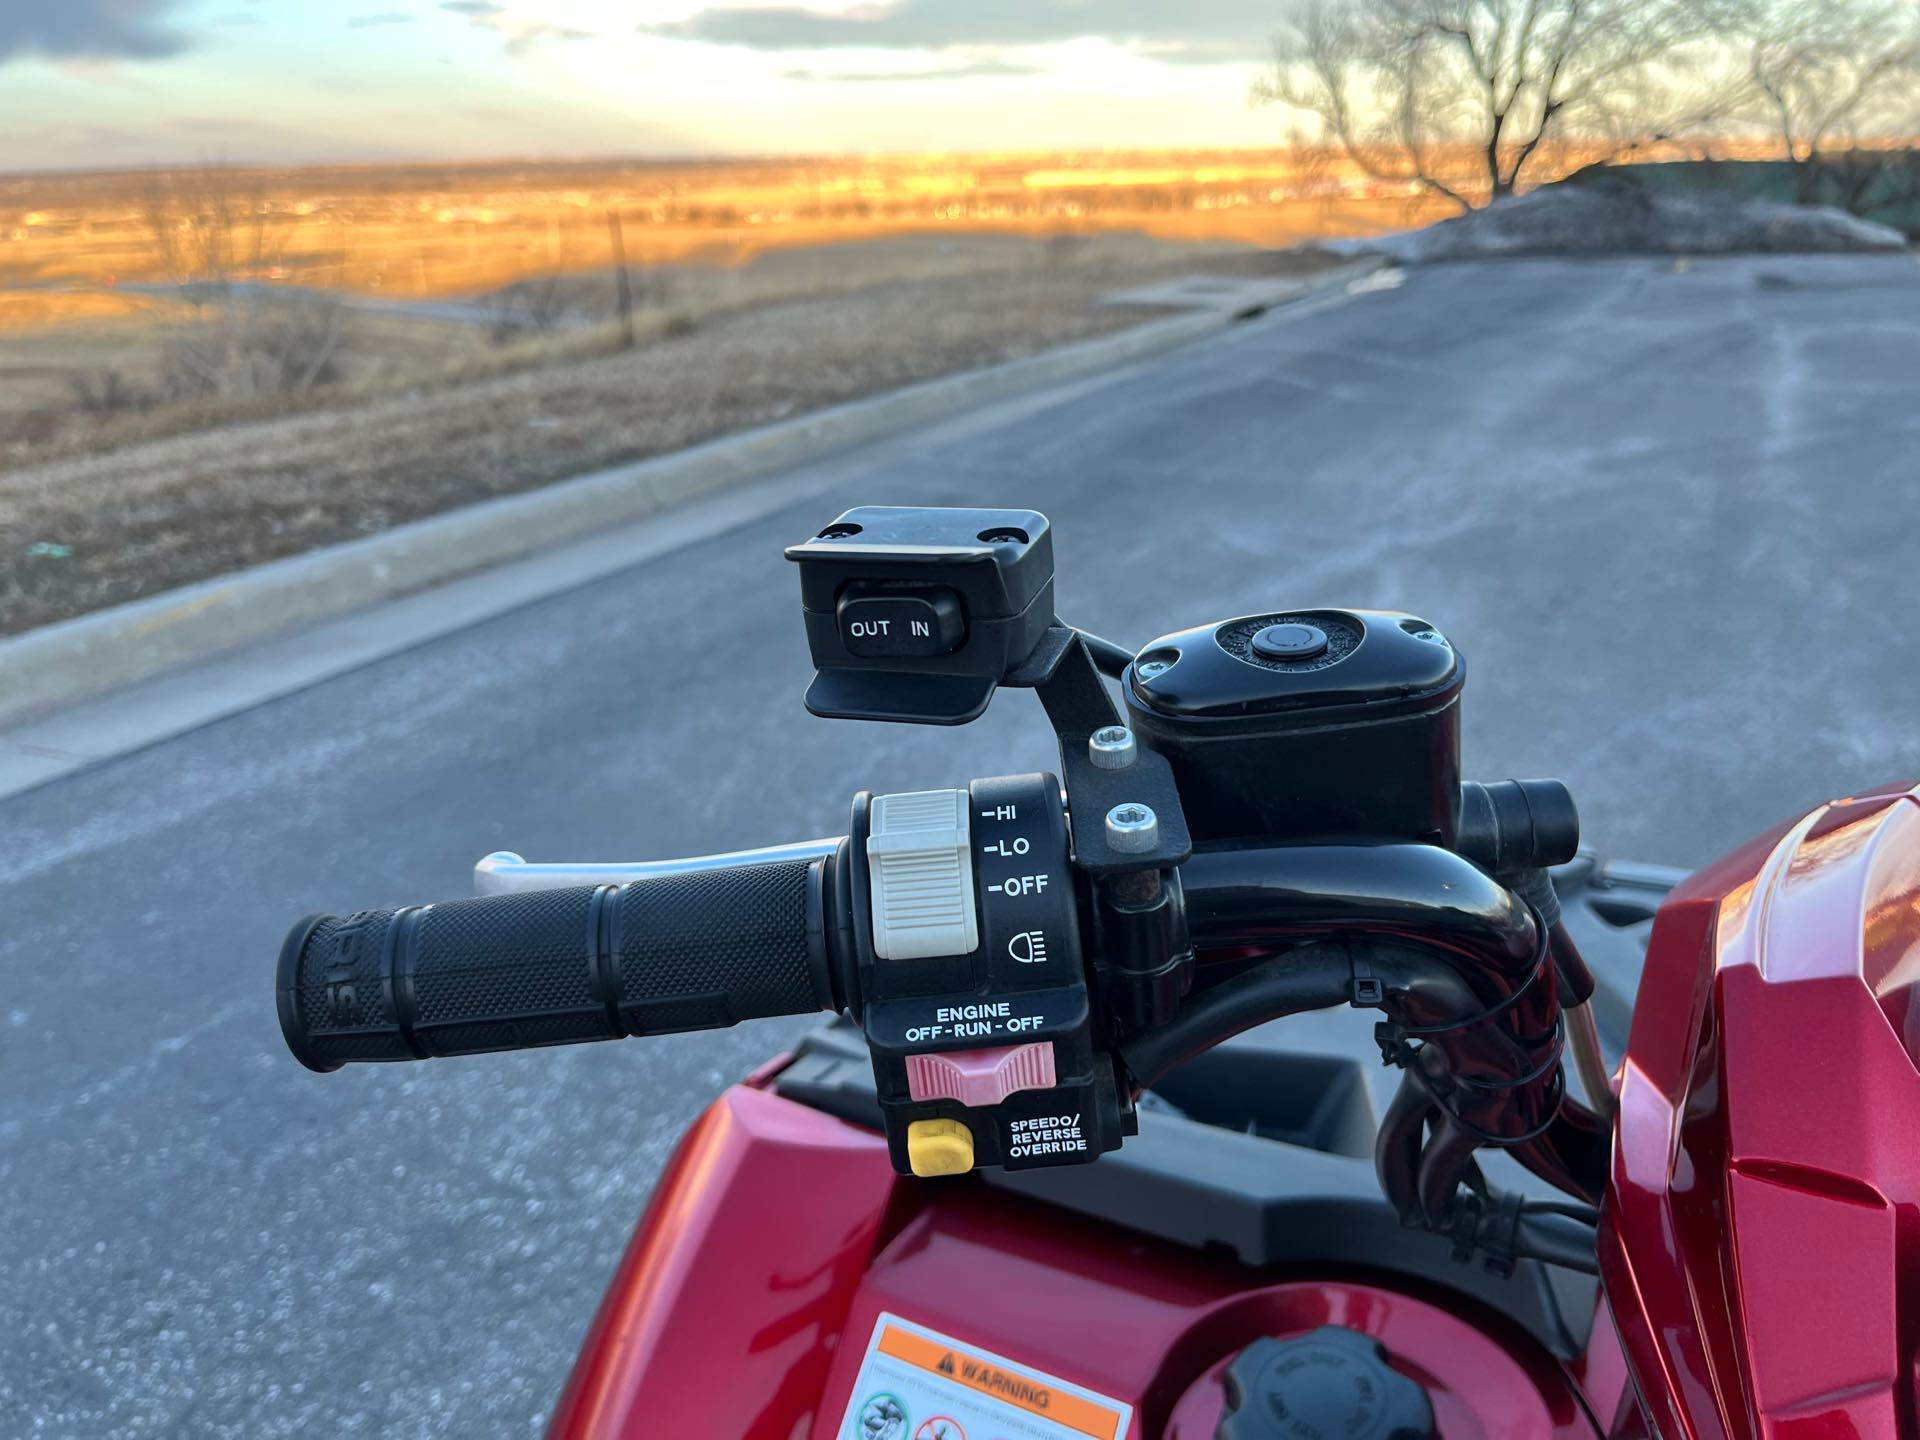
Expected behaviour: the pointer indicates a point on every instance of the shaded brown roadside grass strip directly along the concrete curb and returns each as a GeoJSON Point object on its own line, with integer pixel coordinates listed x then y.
{"type": "Point", "coordinates": [128, 506]}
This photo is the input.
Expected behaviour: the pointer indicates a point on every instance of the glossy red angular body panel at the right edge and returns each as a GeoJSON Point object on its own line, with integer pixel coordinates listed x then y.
{"type": "Point", "coordinates": [1767, 1170]}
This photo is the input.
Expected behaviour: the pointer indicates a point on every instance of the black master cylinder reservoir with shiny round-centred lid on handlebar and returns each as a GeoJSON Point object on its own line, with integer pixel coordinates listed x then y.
{"type": "Point", "coordinates": [1307, 725]}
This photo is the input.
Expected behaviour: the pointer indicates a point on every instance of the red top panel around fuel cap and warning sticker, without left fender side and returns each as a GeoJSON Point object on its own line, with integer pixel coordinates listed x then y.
{"type": "Point", "coordinates": [1155, 1326]}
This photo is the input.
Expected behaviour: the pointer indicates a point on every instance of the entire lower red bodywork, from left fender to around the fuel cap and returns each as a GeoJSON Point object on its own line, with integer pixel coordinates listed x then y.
{"type": "Point", "coordinates": [779, 1236]}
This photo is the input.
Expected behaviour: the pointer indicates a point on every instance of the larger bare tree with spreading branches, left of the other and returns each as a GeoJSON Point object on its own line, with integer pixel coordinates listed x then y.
{"type": "Point", "coordinates": [1464, 99]}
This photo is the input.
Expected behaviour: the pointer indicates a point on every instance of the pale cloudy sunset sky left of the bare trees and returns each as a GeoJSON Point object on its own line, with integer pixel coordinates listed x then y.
{"type": "Point", "coordinates": [87, 84]}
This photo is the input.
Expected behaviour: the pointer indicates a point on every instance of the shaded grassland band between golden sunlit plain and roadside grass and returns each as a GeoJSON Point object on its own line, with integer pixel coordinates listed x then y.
{"type": "Point", "coordinates": [122, 373]}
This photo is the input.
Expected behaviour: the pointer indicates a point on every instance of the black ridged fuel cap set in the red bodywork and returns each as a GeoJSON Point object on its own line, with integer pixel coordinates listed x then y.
{"type": "Point", "coordinates": [1328, 1383]}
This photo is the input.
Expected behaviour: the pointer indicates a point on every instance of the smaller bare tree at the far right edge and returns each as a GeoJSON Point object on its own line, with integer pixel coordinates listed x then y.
{"type": "Point", "coordinates": [1836, 74]}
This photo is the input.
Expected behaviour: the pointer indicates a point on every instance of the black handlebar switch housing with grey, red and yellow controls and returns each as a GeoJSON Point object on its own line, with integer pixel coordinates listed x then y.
{"type": "Point", "coordinates": [974, 982]}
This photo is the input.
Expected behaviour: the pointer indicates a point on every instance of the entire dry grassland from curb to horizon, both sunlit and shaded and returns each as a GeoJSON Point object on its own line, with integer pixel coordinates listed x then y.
{"type": "Point", "coordinates": [210, 370]}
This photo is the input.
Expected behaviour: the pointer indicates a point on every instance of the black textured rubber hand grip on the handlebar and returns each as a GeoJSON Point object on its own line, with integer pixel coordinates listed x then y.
{"type": "Point", "coordinates": [594, 963]}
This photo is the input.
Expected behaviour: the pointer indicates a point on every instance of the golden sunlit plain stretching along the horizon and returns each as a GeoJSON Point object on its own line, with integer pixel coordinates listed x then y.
{"type": "Point", "coordinates": [468, 229]}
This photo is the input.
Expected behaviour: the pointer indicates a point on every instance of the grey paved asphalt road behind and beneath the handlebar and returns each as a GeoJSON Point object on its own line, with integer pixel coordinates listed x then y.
{"type": "Point", "coordinates": [1669, 519]}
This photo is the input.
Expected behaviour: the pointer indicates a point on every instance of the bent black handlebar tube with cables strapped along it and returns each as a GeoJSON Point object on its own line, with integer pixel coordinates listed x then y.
{"type": "Point", "coordinates": [1466, 976]}
